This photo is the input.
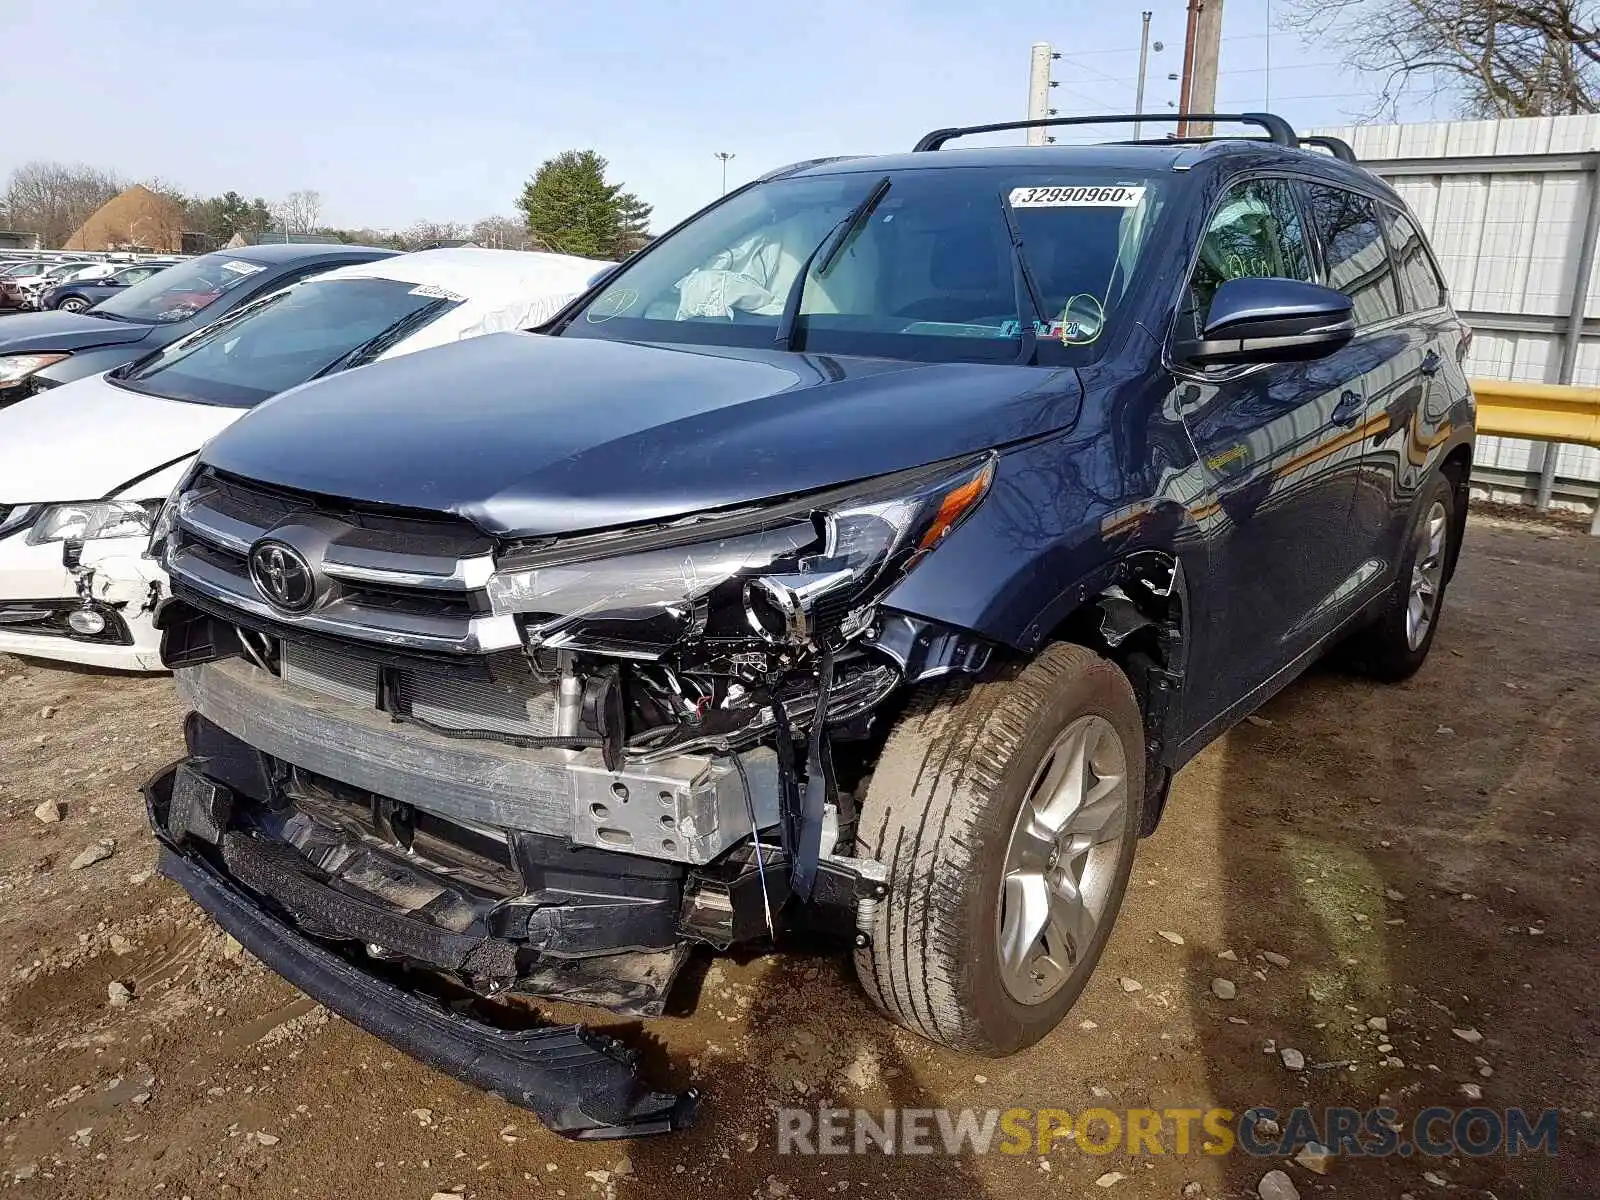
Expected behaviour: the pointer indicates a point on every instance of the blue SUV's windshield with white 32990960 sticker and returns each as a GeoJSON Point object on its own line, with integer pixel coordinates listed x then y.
{"type": "Point", "coordinates": [926, 273]}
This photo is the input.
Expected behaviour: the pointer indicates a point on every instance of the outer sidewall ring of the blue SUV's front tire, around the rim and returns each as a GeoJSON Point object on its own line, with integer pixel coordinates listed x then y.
{"type": "Point", "coordinates": [1006, 1023]}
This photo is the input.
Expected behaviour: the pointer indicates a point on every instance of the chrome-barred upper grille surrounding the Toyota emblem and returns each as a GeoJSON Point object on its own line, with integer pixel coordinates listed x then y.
{"type": "Point", "coordinates": [390, 578]}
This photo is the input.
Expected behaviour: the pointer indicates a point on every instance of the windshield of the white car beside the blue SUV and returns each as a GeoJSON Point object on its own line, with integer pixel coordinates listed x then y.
{"type": "Point", "coordinates": [289, 338]}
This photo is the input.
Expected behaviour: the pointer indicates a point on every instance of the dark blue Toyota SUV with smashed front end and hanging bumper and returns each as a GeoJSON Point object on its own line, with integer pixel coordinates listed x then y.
{"type": "Point", "coordinates": [863, 558]}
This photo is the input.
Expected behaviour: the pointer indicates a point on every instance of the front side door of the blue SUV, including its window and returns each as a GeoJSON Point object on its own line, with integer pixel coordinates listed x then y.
{"type": "Point", "coordinates": [1279, 463]}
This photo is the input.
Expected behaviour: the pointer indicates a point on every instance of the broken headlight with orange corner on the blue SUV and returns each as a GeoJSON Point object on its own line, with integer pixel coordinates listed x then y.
{"type": "Point", "coordinates": [790, 574]}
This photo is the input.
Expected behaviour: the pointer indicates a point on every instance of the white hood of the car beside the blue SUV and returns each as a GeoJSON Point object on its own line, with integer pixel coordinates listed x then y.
{"type": "Point", "coordinates": [89, 439]}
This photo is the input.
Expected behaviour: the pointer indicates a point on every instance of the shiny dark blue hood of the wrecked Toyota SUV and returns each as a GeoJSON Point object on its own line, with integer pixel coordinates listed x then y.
{"type": "Point", "coordinates": [527, 434]}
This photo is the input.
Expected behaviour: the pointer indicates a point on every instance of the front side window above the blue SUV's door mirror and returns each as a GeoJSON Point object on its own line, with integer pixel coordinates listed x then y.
{"type": "Point", "coordinates": [1255, 233]}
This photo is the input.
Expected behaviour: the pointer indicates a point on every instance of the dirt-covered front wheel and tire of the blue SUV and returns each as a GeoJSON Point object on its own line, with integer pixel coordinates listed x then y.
{"type": "Point", "coordinates": [943, 812]}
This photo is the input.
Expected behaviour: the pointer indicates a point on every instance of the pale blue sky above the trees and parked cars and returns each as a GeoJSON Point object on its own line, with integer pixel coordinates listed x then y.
{"type": "Point", "coordinates": [441, 110]}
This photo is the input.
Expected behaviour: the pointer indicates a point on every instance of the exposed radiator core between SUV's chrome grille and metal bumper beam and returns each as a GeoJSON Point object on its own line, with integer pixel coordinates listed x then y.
{"type": "Point", "coordinates": [502, 695]}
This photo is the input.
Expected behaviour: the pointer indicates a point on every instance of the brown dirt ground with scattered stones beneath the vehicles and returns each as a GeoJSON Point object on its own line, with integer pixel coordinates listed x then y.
{"type": "Point", "coordinates": [1425, 854]}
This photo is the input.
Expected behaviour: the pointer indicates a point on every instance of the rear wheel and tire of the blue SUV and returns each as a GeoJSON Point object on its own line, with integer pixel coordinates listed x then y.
{"type": "Point", "coordinates": [1391, 649]}
